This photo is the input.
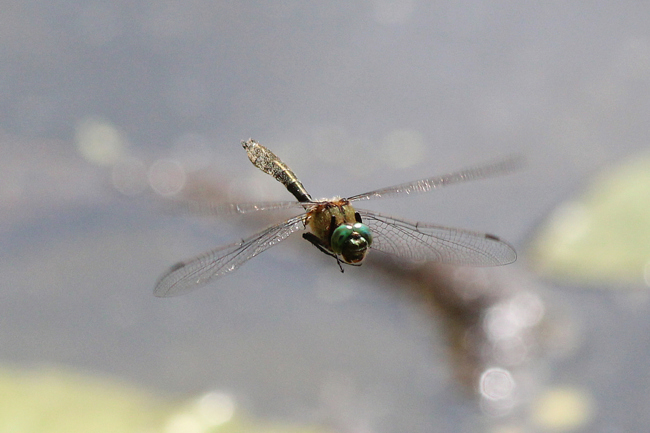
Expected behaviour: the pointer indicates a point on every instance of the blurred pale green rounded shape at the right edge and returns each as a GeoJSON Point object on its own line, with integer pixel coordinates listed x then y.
{"type": "Point", "coordinates": [602, 235]}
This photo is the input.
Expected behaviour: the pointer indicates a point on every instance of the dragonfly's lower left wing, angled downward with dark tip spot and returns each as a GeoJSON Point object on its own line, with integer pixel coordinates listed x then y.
{"type": "Point", "coordinates": [190, 274]}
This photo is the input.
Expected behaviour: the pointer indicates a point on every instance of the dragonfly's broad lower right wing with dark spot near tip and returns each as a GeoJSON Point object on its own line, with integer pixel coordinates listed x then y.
{"type": "Point", "coordinates": [427, 242]}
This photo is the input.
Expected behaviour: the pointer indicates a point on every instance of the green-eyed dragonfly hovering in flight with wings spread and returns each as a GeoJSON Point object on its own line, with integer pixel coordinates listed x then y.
{"type": "Point", "coordinates": [340, 230]}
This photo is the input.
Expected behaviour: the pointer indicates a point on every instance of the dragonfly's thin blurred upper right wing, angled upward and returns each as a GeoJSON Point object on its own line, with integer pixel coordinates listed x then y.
{"type": "Point", "coordinates": [426, 185]}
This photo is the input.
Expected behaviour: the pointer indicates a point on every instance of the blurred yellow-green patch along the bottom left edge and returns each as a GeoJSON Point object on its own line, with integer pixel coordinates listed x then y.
{"type": "Point", "coordinates": [52, 400]}
